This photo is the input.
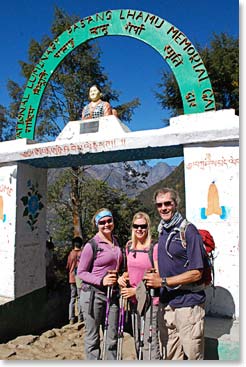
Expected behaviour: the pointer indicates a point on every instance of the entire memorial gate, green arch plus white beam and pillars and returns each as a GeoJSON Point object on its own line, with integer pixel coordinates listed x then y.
{"type": "Point", "coordinates": [208, 140]}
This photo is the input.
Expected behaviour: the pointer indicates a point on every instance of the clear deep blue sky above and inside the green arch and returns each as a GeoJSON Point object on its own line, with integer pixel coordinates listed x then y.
{"type": "Point", "coordinates": [133, 67]}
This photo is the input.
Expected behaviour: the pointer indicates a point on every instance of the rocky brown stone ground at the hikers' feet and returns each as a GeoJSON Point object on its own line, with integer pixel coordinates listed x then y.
{"type": "Point", "coordinates": [66, 343]}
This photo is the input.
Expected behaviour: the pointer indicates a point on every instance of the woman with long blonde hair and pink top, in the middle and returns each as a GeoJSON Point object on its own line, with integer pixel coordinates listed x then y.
{"type": "Point", "coordinates": [141, 256]}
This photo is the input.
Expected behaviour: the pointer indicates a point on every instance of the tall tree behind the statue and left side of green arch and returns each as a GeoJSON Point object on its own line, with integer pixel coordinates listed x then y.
{"type": "Point", "coordinates": [66, 93]}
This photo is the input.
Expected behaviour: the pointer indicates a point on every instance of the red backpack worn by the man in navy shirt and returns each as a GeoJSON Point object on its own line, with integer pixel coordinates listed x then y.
{"type": "Point", "coordinates": [209, 246]}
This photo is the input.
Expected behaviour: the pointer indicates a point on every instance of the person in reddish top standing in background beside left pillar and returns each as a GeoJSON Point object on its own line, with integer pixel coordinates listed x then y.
{"type": "Point", "coordinates": [72, 264]}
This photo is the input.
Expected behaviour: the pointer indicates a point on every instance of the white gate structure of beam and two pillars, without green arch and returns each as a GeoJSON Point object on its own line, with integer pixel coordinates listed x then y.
{"type": "Point", "coordinates": [209, 142]}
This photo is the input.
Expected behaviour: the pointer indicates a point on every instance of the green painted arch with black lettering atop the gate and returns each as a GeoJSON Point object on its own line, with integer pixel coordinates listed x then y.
{"type": "Point", "coordinates": [169, 41]}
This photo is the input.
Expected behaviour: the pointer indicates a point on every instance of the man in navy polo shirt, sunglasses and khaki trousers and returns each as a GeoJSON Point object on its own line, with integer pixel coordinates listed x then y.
{"type": "Point", "coordinates": [182, 295]}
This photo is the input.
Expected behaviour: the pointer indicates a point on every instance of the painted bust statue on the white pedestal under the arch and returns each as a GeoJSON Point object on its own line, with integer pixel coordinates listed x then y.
{"type": "Point", "coordinates": [96, 108]}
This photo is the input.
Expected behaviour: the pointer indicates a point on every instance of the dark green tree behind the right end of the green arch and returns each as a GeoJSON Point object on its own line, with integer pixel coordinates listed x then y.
{"type": "Point", "coordinates": [221, 59]}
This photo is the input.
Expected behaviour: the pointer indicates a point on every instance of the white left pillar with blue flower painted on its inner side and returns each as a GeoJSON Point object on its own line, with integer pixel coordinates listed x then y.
{"type": "Point", "coordinates": [22, 228]}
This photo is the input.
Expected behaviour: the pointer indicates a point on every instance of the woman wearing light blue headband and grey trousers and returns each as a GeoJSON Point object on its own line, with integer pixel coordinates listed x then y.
{"type": "Point", "coordinates": [98, 271]}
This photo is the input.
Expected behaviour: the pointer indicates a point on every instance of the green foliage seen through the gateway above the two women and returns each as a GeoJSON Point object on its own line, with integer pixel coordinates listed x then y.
{"type": "Point", "coordinates": [93, 195]}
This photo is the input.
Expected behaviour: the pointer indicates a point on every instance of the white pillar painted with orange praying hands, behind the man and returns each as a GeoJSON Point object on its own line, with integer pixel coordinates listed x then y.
{"type": "Point", "coordinates": [212, 203]}
